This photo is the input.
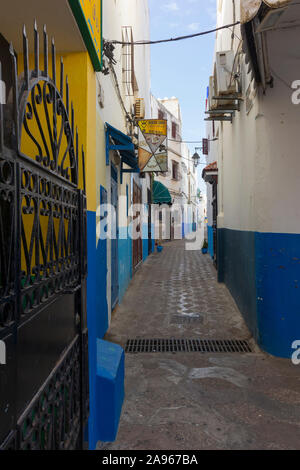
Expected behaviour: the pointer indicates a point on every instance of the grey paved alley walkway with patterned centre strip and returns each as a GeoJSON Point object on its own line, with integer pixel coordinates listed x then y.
{"type": "Point", "coordinates": [193, 401]}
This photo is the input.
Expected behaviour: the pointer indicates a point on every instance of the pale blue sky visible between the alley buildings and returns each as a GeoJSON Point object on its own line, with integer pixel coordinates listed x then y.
{"type": "Point", "coordinates": [182, 69]}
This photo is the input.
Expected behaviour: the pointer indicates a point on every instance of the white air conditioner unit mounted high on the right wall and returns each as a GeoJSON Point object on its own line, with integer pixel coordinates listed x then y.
{"type": "Point", "coordinates": [224, 73]}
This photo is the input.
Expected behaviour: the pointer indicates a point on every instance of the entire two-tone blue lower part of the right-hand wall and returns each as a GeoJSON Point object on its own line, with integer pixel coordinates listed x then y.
{"type": "Point", "coordinates": [262, 272]}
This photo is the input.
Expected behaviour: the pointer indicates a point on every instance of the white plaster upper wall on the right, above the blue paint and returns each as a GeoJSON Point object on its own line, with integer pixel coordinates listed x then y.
{"type": "Point", "coordinates": [259, 166]}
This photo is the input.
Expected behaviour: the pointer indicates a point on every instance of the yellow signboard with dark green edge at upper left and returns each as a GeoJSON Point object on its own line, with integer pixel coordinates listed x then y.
{"type": "Point", "coordinates": [88, 14]}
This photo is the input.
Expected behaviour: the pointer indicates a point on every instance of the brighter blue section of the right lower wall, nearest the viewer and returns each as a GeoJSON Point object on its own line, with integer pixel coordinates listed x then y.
{"type": "Point", "coordinates": [278, 291]}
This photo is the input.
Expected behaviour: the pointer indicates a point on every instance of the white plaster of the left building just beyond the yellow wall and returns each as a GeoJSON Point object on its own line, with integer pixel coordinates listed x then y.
{"type": "Point", "coordinates": [118, 13]}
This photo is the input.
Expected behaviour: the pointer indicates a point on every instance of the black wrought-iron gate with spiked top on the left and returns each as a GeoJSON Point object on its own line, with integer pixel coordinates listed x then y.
{"type": "Point", "coordinates": [44, 396]}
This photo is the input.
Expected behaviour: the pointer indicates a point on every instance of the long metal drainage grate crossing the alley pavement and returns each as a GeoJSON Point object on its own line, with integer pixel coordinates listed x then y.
{"type": "Point", "coordinates": [187, 345]}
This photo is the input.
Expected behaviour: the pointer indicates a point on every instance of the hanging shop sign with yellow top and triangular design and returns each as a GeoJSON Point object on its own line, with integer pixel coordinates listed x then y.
{"type": "Point", "coordinates": [153, 151]}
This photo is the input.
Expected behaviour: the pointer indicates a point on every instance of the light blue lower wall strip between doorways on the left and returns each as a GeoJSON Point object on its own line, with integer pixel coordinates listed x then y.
{"type": "Point", "coordinates": [125, 261]}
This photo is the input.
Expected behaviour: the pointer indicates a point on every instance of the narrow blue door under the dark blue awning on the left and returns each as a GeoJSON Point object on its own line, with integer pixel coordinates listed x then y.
{"type": "Point", "coordinates": [114, 241]}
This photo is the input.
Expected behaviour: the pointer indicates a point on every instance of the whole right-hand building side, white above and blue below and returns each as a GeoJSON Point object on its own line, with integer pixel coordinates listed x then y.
{"type": "Point", "coordinates": [254, 167]}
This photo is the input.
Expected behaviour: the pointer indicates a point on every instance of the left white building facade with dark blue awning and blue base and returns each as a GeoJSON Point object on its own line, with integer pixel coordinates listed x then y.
{"type": "Point", "coordinates": [123, 96]}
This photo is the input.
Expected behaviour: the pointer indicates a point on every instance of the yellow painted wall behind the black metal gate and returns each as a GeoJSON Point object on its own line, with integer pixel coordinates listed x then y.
{"type": "Point", "coordinates": [82, 91]}
